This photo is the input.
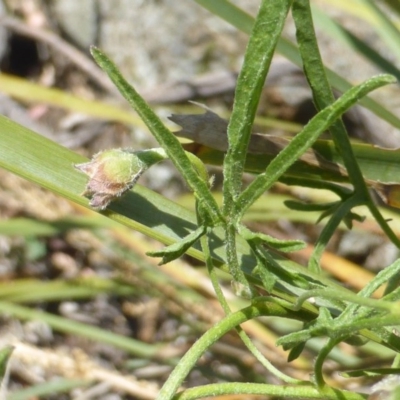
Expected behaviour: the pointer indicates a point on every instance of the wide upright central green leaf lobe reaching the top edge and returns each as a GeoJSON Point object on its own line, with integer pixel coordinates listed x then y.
{"type": "Point", "coordinates": [260, 49]}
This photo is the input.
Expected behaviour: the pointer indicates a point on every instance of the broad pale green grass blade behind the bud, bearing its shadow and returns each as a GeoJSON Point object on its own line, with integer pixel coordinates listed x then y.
{"type": "Point", "coordinates": [50, 165]}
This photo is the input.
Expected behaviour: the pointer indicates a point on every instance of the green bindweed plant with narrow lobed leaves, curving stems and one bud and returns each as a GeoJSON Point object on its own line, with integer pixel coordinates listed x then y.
{"type": "Point", "coordinates": [335, 312]}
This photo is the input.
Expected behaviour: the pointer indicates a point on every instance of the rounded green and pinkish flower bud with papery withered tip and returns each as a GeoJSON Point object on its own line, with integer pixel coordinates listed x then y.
{"type": "Point", "coordinates": [111, 173]}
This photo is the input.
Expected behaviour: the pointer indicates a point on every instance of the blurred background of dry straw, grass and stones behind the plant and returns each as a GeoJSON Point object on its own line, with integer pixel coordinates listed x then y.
{"type": "Point", "coordinates": [90, 315]}
